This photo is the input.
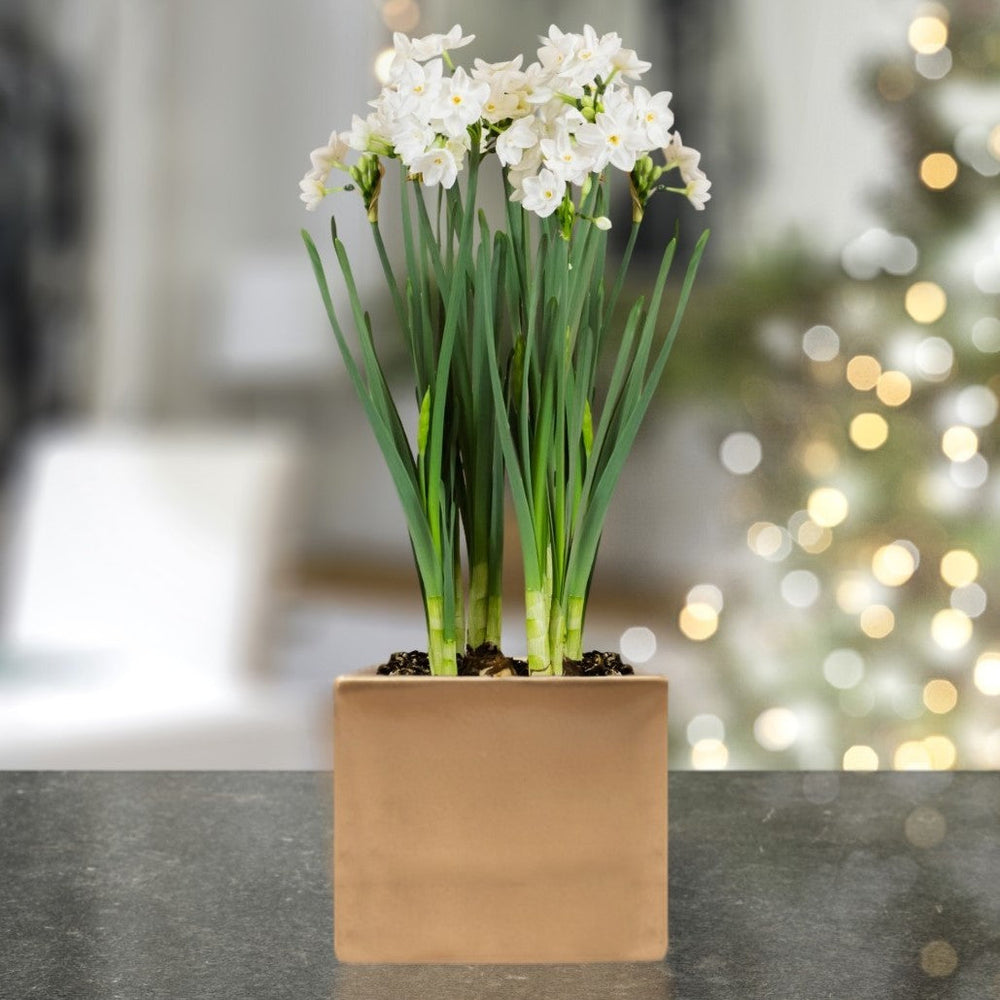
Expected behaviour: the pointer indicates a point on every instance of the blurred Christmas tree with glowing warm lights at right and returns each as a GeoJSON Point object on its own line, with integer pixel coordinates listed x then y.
{"type": "Point", "coordinates": [868, 456]}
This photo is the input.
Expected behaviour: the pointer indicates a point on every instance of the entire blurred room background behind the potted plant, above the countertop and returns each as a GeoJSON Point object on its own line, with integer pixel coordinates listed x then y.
{"type": "Point", "coordinates": [198, 535]}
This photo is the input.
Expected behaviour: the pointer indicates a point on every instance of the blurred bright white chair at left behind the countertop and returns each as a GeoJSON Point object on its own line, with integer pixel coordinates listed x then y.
{"type": "Point", "coordinates": [140, 577]}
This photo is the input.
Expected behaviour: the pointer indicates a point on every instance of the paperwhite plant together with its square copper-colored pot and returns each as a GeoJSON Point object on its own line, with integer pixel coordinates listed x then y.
{"type": "Point", "coordinates": [518, 819]}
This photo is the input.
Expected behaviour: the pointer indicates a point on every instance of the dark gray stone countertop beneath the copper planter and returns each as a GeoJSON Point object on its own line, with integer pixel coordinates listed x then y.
{"type": "Point", "coordinates": [191, 885]}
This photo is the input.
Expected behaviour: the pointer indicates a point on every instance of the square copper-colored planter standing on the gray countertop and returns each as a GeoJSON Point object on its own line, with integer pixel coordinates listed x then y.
{"type": "Point", "coordinates": [511, 820]}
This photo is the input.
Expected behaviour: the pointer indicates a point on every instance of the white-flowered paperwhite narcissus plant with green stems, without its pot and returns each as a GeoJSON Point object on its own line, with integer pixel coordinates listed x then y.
{"type": "Point", "coordinates": [505, 329]}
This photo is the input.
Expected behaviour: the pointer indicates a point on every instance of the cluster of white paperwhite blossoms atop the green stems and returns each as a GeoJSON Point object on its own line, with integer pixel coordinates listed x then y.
{"type": "Point", "coordinates": [552, 124]}
